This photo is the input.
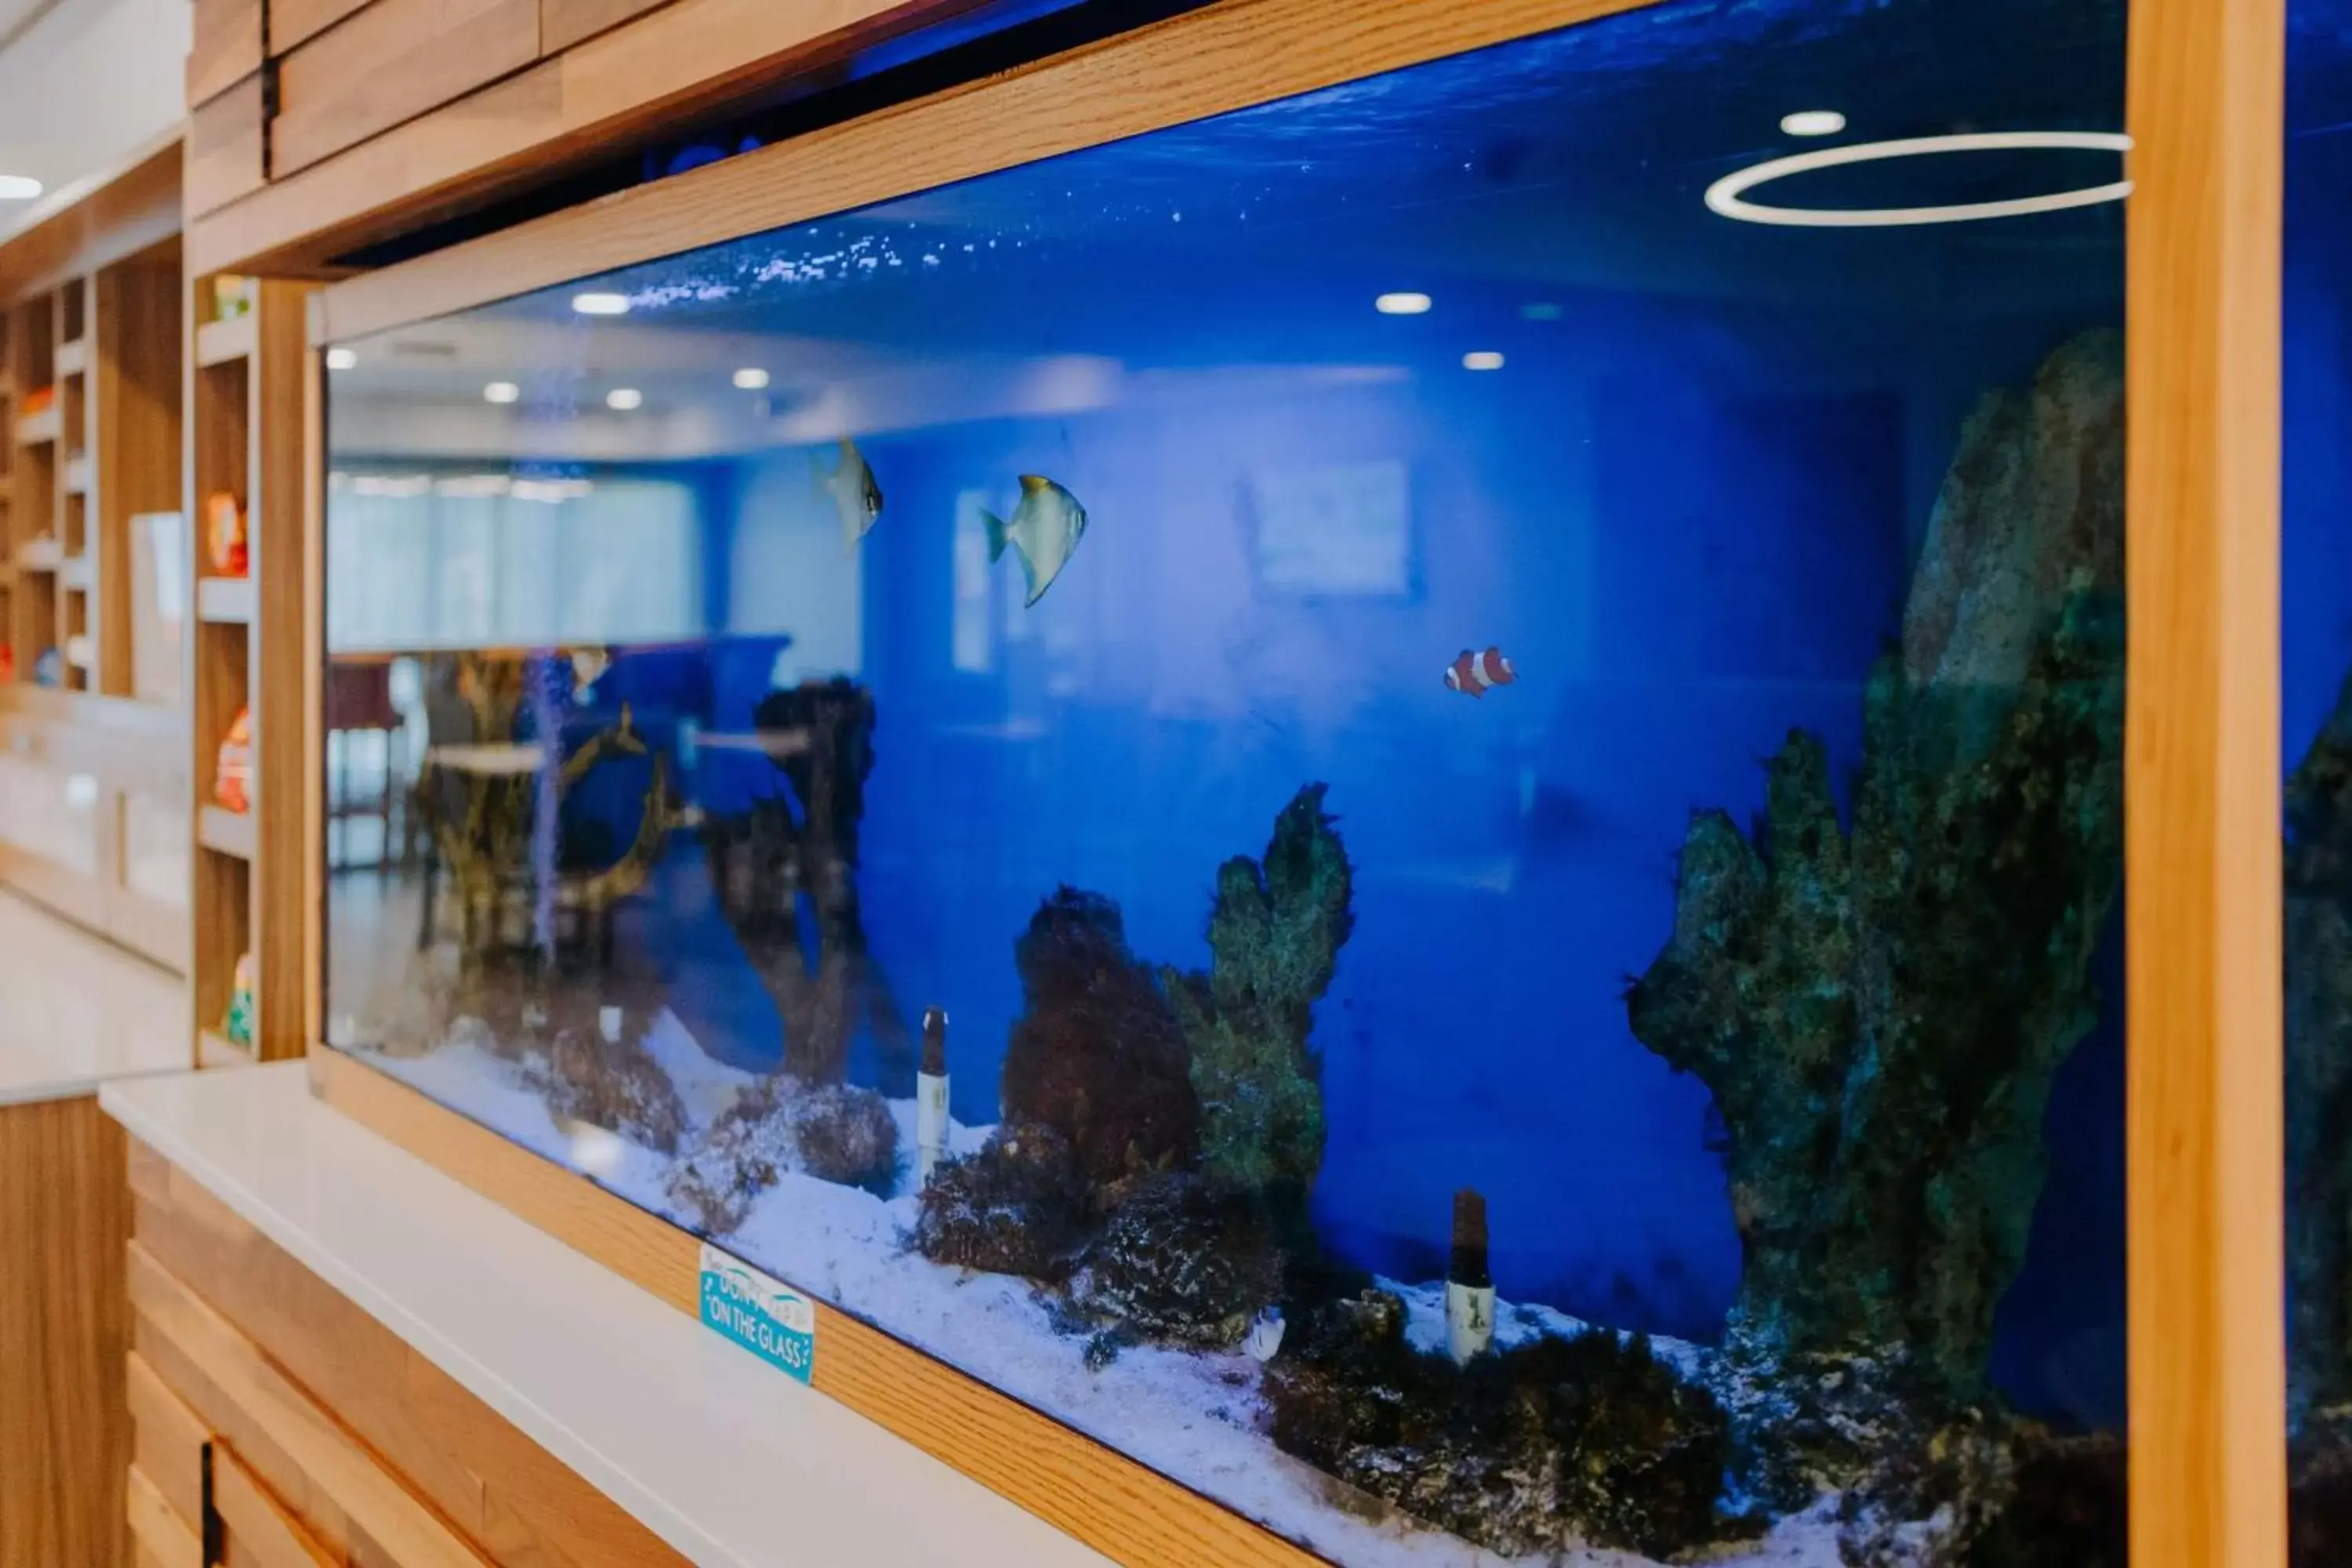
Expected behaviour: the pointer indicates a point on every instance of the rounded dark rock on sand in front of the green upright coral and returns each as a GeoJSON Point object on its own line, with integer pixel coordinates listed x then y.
{"type": "Point", "coordinates": [1184, 1264]}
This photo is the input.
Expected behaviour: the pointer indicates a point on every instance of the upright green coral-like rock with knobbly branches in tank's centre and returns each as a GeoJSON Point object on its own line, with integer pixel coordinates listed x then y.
{"type": "Point", "coordinates": [1274, 942]}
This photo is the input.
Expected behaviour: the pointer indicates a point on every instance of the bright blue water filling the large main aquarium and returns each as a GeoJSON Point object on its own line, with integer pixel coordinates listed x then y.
{"type": "Point", "coordinates": [1685, 507]}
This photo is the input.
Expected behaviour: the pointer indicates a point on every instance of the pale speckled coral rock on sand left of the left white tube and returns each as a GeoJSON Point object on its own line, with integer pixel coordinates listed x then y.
{"type": "Point", "coordinates": [780, 1125]}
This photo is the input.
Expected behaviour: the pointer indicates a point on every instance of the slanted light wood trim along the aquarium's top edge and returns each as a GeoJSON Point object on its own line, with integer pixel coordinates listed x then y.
{"type": "Point", "coordinates": [1187, 69]}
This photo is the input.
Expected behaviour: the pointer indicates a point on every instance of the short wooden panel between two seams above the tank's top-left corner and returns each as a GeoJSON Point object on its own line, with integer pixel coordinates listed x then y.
{"type": "Point", "coordinates": [392, 62]}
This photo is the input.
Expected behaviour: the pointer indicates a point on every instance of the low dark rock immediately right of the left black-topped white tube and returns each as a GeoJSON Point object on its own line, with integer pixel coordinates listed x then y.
{"type": "Point", "coordinates": [1017, 1207]}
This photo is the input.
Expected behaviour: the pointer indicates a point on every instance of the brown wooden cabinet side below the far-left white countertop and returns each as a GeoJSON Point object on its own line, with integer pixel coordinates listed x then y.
{"type": "Point", "coordinates": [65, 1433]}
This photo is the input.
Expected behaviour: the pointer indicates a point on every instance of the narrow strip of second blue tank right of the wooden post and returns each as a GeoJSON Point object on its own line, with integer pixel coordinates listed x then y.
{"type": "Point", "coordinates": [2318, 753]}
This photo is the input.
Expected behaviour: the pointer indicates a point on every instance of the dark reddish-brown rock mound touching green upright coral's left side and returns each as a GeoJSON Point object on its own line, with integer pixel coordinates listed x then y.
{"type": "Point", "coordinates": [1097, 1054]}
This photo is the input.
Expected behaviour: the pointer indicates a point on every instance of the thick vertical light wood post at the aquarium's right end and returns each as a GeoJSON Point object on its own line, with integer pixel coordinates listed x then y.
{"type": "Point", "coordinates": [2203, 786]}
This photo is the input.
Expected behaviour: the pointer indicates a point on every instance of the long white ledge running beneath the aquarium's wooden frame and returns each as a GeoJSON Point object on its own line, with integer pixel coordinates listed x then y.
{"type": "Point", "coordinates": [719, 1454]}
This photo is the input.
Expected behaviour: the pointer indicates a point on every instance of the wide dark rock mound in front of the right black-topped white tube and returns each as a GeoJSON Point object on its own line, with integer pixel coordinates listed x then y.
{"type": "Point", "coordinates": [1525, 1452]}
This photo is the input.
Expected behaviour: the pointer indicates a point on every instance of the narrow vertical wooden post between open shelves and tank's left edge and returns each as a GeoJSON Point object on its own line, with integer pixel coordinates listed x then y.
{"type": "Point", "coordinates": [286, 753]}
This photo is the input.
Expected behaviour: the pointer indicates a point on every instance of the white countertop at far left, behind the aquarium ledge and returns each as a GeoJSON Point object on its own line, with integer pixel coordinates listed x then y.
{"type": "Point", "coordinates": [76, 1010]}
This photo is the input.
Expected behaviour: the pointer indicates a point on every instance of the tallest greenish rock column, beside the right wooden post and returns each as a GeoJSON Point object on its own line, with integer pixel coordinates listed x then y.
{"type": "Point", "coordinates": [1880, 1010]}
